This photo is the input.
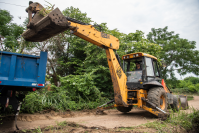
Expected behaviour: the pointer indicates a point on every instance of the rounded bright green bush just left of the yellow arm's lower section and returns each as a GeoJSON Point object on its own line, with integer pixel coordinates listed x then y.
{"type": "Point", "coordinates": [80, 86]}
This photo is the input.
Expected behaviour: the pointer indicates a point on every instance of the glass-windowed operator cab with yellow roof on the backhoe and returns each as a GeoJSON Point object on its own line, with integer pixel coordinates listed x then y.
{"type": "Point", "coordinates": [140, 68]}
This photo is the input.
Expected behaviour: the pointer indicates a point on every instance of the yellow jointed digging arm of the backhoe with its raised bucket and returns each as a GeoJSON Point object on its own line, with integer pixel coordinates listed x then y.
{"type": "Point", "coordinates": [55, 22]}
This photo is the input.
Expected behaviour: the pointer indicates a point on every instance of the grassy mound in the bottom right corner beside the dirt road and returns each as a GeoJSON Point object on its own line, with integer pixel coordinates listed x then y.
{"type": "Point", "coordinates": [177, 122]}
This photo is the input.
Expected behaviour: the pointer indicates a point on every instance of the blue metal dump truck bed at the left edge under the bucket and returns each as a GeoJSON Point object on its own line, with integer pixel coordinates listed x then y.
{"type": "Point", "coordinates": [22, 69]}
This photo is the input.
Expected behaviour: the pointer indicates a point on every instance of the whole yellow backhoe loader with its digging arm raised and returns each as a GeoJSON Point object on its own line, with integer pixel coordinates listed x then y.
{"type": "Point", "coordinates": [138, 82]}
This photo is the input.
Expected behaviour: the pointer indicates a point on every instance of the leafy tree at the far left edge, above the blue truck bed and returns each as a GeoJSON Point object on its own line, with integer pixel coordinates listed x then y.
{"type": "Point", "coordinates": [9, 32]}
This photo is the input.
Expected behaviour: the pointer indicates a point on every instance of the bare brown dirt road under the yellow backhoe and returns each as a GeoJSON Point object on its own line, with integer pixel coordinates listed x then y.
{"type": "Point", "coordinates": [112, 119]}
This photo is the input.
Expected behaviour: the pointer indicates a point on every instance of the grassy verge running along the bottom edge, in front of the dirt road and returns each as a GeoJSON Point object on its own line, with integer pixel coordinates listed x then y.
{"type": "Point", "coordinates": [178, 122]}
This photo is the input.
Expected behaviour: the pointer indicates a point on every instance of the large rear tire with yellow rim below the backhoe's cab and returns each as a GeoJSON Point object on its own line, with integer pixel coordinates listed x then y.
{"type": "Point", "coordinates": [158, 96]}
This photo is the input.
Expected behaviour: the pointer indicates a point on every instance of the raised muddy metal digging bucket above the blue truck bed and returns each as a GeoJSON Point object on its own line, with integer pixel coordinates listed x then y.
{"type": "Point", "coordinates": [43, 27]}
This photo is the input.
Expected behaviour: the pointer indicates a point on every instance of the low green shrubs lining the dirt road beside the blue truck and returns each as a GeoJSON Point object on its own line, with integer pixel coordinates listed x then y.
{"type": "Point", "coordinates": [76, 92]}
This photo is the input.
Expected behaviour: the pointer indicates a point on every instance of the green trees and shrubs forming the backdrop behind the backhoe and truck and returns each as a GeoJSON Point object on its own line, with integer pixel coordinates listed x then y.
{"type": "Point", "coordinates": [78, 70]}
